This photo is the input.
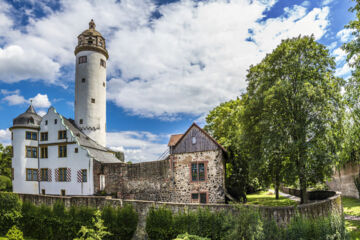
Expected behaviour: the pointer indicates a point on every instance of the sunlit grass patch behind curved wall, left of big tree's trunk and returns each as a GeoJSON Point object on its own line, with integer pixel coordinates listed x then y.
{"type": "Point", "coordinates": [266, 198]}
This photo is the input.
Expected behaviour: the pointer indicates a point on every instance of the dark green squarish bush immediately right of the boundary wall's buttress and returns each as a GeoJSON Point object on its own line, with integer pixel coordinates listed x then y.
{"type": "Point", "coordinates": [159, 224]}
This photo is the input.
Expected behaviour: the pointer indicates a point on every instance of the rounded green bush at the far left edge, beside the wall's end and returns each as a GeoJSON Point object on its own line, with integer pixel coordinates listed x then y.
{"type": "Point", "coordinates": [10, 211]}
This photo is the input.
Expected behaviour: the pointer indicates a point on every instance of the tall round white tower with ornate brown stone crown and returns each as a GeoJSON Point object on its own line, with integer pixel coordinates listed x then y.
{"type": "Point", "coordinates": [90, 84]}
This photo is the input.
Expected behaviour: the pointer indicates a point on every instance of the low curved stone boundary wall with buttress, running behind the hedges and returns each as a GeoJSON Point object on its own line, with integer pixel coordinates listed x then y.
{"type": "Point", "coordinates": [282, 215]}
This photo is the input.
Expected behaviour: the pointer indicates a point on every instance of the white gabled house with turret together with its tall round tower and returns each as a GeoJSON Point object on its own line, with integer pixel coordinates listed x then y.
{"type": "Point", "coordinates": [55, 155]}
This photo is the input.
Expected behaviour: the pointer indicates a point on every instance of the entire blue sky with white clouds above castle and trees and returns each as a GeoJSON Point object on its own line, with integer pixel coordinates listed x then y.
{"type": "Point", "coordinates": [170, 61]}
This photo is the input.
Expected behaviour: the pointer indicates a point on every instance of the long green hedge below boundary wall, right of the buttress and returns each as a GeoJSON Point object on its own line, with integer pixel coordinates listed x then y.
{"type": "Point", "coordinates": [162, 224]}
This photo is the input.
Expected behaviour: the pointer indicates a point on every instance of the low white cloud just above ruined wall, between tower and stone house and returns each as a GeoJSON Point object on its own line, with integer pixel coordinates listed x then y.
{"type": "Point", "coordinates": [137, 146]}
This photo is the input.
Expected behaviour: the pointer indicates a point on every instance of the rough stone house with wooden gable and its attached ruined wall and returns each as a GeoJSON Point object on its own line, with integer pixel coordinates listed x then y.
{"type": "Point", "coordinates": [194, 172]}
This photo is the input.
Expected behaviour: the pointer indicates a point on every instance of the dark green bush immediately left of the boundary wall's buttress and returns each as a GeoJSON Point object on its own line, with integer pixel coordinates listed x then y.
{"type": "Point", "coordinates": [121, 222]}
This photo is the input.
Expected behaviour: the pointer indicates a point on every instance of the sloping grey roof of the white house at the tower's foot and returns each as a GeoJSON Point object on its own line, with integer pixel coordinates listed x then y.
{"type": "Point", "coordinates": [98, 152]}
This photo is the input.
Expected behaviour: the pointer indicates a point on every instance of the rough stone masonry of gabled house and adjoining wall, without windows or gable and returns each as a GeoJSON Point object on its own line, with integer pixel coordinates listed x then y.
{"type": "Point", "coordinates": [166, 180]}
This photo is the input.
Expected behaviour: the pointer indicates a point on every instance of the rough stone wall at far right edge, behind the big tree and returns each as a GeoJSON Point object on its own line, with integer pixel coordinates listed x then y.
{"type": "Point", "coordinates": [343, 180]}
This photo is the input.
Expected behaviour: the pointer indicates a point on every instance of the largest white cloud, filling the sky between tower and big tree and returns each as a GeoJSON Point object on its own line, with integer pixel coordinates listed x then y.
{"type": "Point", "coordinates": [196, 55]}
